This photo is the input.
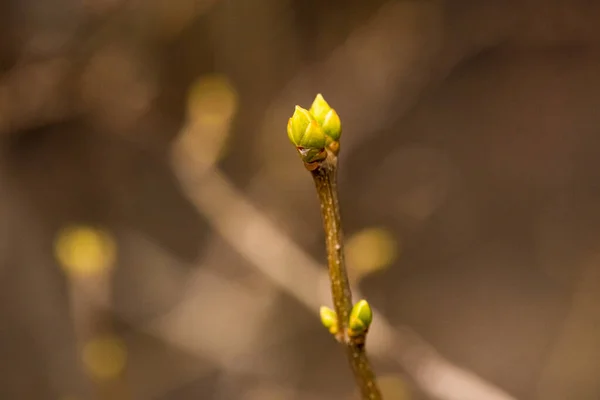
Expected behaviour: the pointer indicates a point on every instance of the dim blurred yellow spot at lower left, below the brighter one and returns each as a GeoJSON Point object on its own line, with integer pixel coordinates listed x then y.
{"type": "Point", "coordinates": [105, 357]}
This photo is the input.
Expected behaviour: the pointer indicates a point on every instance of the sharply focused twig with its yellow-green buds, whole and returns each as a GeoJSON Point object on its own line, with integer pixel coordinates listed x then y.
{"type": "Point", "coordinates": [316, 135]}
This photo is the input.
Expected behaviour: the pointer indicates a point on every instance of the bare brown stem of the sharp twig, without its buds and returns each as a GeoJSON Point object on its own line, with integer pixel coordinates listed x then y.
{"type": "Point", "coordinates": [325, 177]}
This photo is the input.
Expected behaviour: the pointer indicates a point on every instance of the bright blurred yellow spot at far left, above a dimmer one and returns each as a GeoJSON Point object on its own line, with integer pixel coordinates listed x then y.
{"type": "Point", "coordinates": [84, 251]}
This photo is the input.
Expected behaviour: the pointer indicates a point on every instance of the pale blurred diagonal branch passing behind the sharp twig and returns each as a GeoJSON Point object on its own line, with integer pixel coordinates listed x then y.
{"type": "Point", "coordinates": [245, 228]}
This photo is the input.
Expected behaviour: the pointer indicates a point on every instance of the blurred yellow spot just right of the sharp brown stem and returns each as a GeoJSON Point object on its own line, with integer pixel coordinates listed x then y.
{"type": "Point", "coordinates": [370, 250]}
